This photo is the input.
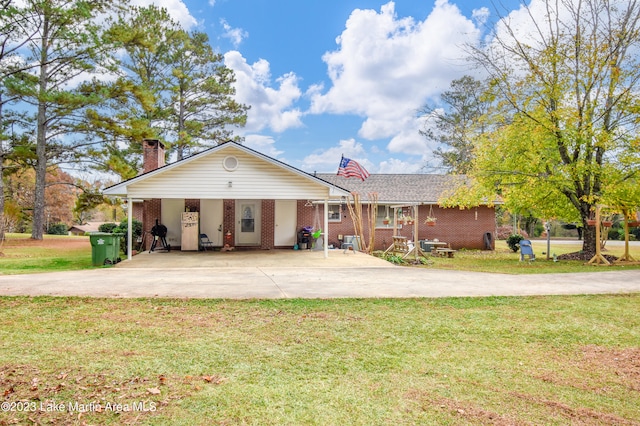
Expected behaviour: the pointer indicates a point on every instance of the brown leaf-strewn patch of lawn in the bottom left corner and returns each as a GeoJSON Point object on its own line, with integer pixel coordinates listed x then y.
{"type": "Point", "coordinates": [75, 397]}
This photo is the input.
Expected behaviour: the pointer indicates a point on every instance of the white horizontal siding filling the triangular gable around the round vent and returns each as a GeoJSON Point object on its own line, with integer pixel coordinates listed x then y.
{"type": "Point", "coordinates": [205, 177]}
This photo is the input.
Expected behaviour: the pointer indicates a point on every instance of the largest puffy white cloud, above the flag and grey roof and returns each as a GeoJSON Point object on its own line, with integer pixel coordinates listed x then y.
{"type": "Point", "coordinates": [385, 69]}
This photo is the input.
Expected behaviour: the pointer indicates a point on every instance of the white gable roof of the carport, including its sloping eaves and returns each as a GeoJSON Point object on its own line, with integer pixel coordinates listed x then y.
{"type": "Point", "coordinates": [203, 175]}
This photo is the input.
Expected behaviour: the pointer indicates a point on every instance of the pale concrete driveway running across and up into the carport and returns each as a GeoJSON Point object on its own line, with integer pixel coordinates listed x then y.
{"type": "Point", "coordinates": [304, 274]}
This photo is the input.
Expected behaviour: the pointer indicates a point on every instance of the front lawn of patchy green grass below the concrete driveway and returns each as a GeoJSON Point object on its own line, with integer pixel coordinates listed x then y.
{"type": "Point", "coordinates": [505, 361]}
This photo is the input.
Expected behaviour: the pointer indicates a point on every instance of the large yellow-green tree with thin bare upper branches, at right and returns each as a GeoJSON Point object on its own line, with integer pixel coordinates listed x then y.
{"type": "Point", "coordinates": [566, 84]}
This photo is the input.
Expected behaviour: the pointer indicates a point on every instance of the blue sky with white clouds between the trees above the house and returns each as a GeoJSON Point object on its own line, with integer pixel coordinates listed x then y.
{"type": "Point", "coordinates": [326, 78]}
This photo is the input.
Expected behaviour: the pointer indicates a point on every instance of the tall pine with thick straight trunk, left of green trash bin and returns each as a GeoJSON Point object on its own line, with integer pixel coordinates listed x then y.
{"type": "Point", "coordinates": [64, 43]}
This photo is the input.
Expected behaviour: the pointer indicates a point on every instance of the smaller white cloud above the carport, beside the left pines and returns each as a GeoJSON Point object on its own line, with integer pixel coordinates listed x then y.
{"type": "Point", "coordinates": [270, 107]}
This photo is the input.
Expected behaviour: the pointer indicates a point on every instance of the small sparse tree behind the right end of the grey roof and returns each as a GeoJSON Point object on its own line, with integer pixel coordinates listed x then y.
{"type": "Point", "coordinates": [456, 122]}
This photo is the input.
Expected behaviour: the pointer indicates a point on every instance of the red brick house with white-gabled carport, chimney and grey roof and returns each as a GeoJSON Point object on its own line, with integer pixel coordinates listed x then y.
{"type": "Point", "coordinates": [250, 200]}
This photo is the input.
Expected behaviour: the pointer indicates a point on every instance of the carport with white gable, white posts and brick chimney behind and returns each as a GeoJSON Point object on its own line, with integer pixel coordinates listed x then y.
{"type": "Point", "coordinates": [251, 199]}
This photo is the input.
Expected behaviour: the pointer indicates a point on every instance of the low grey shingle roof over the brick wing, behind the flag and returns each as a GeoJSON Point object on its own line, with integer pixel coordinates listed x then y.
{"type": "Point", "coordinates": [400, 188]}
